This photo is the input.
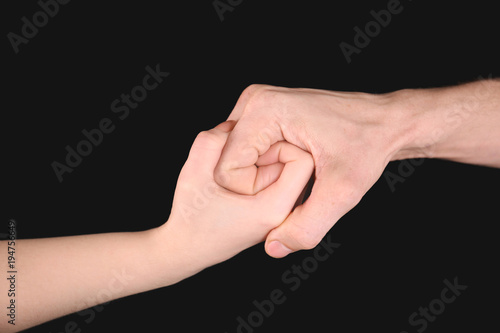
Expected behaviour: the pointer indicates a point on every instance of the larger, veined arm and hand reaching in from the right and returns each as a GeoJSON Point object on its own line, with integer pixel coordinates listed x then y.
{"type": "Point", "coordinates": [352, 137]}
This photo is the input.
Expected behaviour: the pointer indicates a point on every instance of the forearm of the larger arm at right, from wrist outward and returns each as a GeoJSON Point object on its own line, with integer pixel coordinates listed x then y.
{"type": "Point", "coordinates": [460, 123]}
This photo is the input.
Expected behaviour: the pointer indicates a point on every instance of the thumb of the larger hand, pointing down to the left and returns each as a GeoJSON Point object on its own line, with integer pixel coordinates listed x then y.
{"type": "Point", "coordinates": [332, 196]}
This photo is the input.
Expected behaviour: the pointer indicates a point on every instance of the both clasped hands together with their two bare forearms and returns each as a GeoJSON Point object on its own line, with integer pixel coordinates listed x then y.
{"type": "Point", "coordinates": [241, 183]}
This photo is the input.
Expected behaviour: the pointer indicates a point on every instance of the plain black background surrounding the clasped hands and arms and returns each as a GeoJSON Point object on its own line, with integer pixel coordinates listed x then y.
{"type": "Point", "coordinates": [397, 247]}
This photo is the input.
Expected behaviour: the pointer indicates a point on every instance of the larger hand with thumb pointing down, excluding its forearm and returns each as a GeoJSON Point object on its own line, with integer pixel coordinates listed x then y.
{"type": "Point", "coordinates": [351, 136]}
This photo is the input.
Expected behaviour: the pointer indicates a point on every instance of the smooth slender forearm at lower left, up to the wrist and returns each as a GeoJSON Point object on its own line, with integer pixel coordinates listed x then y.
{"type": "Point", "coordinates": [58, 276]}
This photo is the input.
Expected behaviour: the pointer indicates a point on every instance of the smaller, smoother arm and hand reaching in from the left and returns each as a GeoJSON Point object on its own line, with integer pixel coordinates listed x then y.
{"type": "Point", "coordinates": [207, 225]}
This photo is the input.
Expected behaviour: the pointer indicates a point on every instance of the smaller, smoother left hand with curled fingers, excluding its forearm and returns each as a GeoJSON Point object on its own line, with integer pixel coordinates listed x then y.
{"type": "Point", "coordinates": [213, 223]}
